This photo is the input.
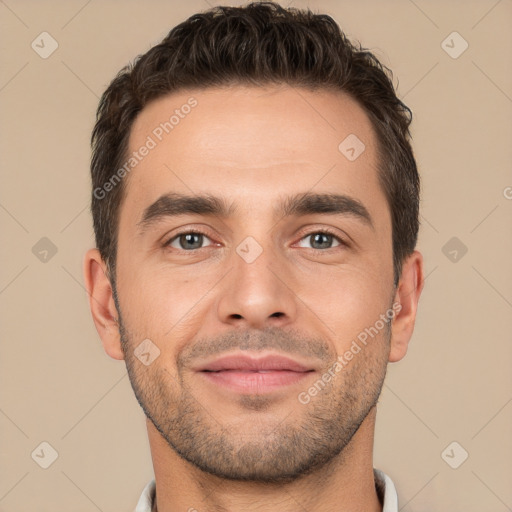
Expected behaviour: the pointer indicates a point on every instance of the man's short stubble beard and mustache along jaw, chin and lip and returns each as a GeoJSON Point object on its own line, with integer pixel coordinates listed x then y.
{"type": "Point", "coordinates": [273, 448]}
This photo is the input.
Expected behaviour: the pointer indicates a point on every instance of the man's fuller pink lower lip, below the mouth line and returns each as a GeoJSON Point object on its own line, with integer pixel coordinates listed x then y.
{"type": "Point", "coordinates": [255, 382]}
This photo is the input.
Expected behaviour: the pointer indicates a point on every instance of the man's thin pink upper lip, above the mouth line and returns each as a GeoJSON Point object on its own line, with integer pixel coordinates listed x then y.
{"type": "Point", "coordinates": [248, 363]}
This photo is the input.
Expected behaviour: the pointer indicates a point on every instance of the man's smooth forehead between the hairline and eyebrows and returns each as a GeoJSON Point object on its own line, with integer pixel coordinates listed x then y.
{"type": "Point", "coordinates": [249, 142]}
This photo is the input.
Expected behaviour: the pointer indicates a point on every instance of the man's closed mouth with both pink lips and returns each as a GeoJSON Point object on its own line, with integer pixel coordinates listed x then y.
{"type": "Point", "coordinates": [245, 374]}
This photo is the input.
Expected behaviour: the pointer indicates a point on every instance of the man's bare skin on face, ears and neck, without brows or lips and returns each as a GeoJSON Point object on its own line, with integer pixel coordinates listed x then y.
{"type": "Point", "coordinates": [215, 449]}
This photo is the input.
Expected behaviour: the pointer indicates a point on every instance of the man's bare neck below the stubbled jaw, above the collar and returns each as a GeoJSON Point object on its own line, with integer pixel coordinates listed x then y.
{"type": "Point", "coordinates": [345, 484]}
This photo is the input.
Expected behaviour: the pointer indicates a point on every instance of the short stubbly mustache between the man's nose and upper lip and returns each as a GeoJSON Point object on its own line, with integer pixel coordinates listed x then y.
{"type": "Point", "coordinates": [271, 338]}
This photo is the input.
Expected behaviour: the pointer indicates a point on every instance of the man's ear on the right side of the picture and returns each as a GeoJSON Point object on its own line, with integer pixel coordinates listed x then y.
{"type": "Point", "coordinates": [407, 295]}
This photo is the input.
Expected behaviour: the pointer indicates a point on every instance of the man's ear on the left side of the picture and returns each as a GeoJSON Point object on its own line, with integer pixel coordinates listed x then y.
{"type": "Point", "coordinates": [101, 302]}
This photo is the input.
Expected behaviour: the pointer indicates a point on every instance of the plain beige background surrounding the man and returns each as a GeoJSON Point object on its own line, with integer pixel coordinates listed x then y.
{"type": "Point", "coordinates": [56, 383]}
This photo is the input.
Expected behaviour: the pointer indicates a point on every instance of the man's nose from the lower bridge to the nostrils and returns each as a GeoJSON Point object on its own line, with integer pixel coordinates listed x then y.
{"type": "Point", "coordinates": [258, 293]}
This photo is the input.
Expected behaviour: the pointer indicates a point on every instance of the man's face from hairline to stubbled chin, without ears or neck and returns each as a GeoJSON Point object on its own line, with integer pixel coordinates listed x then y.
{"type": "Point", "coordinates": [260, 279]}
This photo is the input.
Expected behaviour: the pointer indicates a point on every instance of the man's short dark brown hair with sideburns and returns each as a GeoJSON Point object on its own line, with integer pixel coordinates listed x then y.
{"type": "Point", "coordinates": [258, 44]}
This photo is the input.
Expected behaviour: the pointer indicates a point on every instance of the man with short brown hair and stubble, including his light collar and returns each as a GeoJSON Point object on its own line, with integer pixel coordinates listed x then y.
{"type": "Point", "coordinates": [255, 205]}
